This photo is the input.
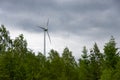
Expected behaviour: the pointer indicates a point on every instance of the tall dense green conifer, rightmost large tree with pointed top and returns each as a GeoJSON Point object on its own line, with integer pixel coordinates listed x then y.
{"type": "Point", "coordinates": [111, 60]}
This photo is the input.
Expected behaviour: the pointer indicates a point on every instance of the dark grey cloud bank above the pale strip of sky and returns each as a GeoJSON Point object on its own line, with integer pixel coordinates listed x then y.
{"type": "Point", "coordinates": [79, 17]}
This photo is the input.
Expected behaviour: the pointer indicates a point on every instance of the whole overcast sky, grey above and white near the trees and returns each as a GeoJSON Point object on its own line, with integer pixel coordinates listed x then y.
{"type": "Point", "coordinates": [72, 23]}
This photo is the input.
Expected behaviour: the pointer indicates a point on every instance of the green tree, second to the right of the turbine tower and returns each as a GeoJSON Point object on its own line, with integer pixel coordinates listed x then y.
{"type": "Point", "coordinates": [70, 65]}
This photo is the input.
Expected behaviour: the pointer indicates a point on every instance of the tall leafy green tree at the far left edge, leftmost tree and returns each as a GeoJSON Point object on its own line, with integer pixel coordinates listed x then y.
{"type": "Point", "coordinates": [6, 60]}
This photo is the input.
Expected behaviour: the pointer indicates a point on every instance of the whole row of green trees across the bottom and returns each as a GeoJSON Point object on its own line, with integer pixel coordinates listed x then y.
{"type": "Point", "coordinates": [17, 62]}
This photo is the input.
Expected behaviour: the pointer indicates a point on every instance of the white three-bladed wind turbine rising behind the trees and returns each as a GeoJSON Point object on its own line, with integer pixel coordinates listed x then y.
{"type": "Point", "coordinates": [45, 29]}
